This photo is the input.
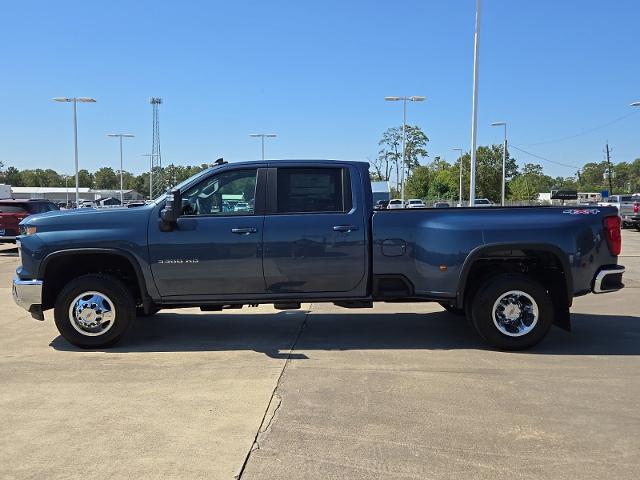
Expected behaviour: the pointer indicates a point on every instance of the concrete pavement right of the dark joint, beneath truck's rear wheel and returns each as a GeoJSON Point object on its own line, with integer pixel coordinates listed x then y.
{"type": "Point", "coordinates": [409, 392]}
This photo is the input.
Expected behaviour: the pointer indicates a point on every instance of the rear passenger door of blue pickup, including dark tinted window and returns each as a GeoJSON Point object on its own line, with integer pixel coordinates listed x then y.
{"type": "Point", "coordinates": [314, 232]}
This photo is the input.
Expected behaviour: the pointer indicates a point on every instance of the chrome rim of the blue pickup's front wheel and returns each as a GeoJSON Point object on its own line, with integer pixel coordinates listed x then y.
{"type": "Point", "coordinates": [92, 313]}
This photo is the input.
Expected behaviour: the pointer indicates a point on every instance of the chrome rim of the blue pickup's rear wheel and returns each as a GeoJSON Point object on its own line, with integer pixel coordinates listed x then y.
{"type": "Point", "coordinates": [515, 313]}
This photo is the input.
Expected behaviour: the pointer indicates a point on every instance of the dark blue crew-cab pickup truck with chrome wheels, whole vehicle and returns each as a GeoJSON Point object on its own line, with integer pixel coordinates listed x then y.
{"type": "Point", "coordinates": [285, 232]}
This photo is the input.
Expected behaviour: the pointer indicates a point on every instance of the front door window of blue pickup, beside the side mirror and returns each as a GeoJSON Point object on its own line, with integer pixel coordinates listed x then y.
{"type": "Point", "coordinates": [228, 193]}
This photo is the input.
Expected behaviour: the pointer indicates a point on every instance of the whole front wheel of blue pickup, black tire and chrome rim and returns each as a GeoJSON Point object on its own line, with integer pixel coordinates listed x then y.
{"type": "Point", "coordinates": [94, 311]}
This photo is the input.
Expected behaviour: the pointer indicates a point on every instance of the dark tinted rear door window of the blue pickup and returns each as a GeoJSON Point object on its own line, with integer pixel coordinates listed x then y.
{"type": "Point", "coordinates": [307, 190]}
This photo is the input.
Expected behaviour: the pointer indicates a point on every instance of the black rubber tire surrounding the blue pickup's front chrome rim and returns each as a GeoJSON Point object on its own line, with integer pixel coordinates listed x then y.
{"type": "Point", "coordinates": [107, 286]}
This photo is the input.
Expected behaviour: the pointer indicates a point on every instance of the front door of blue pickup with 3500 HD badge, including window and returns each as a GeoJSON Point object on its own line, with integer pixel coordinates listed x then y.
{"type": "Point", "coordinates": [216, 248]}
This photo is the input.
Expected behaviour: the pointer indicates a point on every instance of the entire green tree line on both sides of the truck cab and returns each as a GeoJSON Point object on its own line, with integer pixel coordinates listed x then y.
{"type": "Point", "coordinates": [430, 180]}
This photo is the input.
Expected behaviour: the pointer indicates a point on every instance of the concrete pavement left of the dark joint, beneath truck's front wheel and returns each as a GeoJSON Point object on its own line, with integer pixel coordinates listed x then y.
{"type": "Point", "coordinates": [182, 397]}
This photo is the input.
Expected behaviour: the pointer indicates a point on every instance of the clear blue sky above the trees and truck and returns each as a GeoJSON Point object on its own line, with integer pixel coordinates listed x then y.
{"type": "Point", "coordinates": [315, 73]}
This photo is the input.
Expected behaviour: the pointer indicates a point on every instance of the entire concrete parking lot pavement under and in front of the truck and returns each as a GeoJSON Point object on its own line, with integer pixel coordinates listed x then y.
{"type": "Point", "coordinates": [399, 391]}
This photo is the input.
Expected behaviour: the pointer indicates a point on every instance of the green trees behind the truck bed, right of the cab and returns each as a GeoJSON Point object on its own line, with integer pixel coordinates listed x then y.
{"type": "Point", "coordinates": [439, 180]}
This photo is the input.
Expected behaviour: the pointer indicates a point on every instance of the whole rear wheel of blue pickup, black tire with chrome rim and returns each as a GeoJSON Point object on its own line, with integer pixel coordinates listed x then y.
{"type": "Point", "coordinates": [530, 331]}
